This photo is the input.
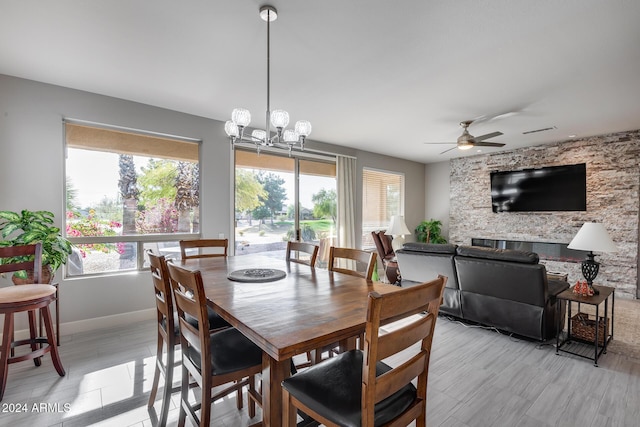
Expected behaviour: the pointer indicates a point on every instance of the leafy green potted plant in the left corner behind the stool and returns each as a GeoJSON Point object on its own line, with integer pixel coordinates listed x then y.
{"type": "Point", "coordinates": [30, 227]}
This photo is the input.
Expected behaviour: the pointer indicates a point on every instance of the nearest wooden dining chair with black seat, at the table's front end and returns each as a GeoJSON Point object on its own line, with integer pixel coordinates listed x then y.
{"type": "Point", "coordinates": [356, 388]}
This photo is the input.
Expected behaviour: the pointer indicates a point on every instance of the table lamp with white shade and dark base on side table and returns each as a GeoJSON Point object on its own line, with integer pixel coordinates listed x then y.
{"type": "Point", "coordinates": [592, 237]}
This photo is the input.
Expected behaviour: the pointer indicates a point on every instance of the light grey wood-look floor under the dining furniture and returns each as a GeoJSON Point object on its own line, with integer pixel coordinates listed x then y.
{"type": "Point", "coordinates": [478, 377]}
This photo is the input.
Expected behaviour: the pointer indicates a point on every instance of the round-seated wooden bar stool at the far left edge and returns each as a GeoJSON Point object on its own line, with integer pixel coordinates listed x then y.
{"type": "Point", "coordinates": [30, 298]}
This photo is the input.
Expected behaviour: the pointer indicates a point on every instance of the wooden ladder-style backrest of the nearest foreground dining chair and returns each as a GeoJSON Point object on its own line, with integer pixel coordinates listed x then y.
{"type": "Point", "coordinates": [416, 310]}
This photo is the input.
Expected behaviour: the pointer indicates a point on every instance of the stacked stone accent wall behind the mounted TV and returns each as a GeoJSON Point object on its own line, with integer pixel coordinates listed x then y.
{"type": "Point", "coordinates": [613, 182]}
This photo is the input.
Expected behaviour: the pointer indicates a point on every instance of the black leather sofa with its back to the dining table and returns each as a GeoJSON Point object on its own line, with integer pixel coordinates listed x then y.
{"type": "Point", "coordinates": [503, 288]}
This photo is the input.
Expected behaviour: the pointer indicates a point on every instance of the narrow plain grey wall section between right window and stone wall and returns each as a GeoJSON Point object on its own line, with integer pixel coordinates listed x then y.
{"type": "Point", "coordinates": [436, 177]}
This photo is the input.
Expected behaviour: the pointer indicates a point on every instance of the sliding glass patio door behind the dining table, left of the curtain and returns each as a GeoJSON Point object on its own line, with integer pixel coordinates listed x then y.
{"type": "Point", "coordinates": [279, 198]}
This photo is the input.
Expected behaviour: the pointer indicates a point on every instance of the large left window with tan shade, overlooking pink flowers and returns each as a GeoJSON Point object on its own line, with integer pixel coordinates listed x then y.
{"type": "Point", "coordinates": [127, 192]}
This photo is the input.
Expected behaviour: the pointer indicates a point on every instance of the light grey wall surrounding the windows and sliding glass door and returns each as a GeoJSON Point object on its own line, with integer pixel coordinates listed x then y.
{"type": "Point", "coordinates": [32, 177]}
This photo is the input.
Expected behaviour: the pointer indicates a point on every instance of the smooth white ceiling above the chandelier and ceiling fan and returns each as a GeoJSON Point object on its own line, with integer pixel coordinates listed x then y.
{"type": "Point", "coordinates": [378, 75]}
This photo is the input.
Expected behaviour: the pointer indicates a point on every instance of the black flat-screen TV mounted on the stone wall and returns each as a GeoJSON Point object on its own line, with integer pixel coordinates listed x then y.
{"type": "Point", "coordinates": [555, 188]}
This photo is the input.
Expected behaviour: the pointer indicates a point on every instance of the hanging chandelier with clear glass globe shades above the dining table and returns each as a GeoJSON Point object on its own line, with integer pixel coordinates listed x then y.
{"type": "Point", "coordinates": [279, 119]}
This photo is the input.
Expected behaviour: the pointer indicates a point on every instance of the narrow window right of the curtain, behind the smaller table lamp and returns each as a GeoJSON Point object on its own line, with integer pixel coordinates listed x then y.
{"type": "Point", "coordinates": [382, 197]}
